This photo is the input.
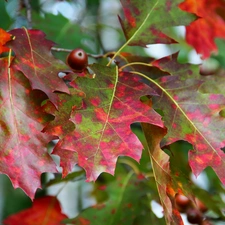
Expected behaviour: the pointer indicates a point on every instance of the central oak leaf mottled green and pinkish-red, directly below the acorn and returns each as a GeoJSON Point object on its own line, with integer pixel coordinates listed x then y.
{"type": "Point", "coordinates": [103, 131]}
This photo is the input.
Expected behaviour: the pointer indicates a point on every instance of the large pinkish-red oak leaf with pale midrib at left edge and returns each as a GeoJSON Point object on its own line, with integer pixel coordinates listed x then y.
{"type": "Point", "coordinates": [23, 156]}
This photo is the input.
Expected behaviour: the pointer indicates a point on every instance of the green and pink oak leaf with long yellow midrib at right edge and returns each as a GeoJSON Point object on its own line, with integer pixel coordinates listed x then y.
{"type": "Point", "coordinates": [191, 115]}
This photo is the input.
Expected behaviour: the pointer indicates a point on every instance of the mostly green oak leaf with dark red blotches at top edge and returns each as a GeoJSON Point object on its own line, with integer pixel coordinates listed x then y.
{"type": "Point", "coordinates": [144, 23]}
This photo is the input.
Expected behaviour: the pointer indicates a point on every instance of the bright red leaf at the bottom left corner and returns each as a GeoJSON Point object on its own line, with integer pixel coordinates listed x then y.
{"type": "Point", "coordinates": [45, 210]}
